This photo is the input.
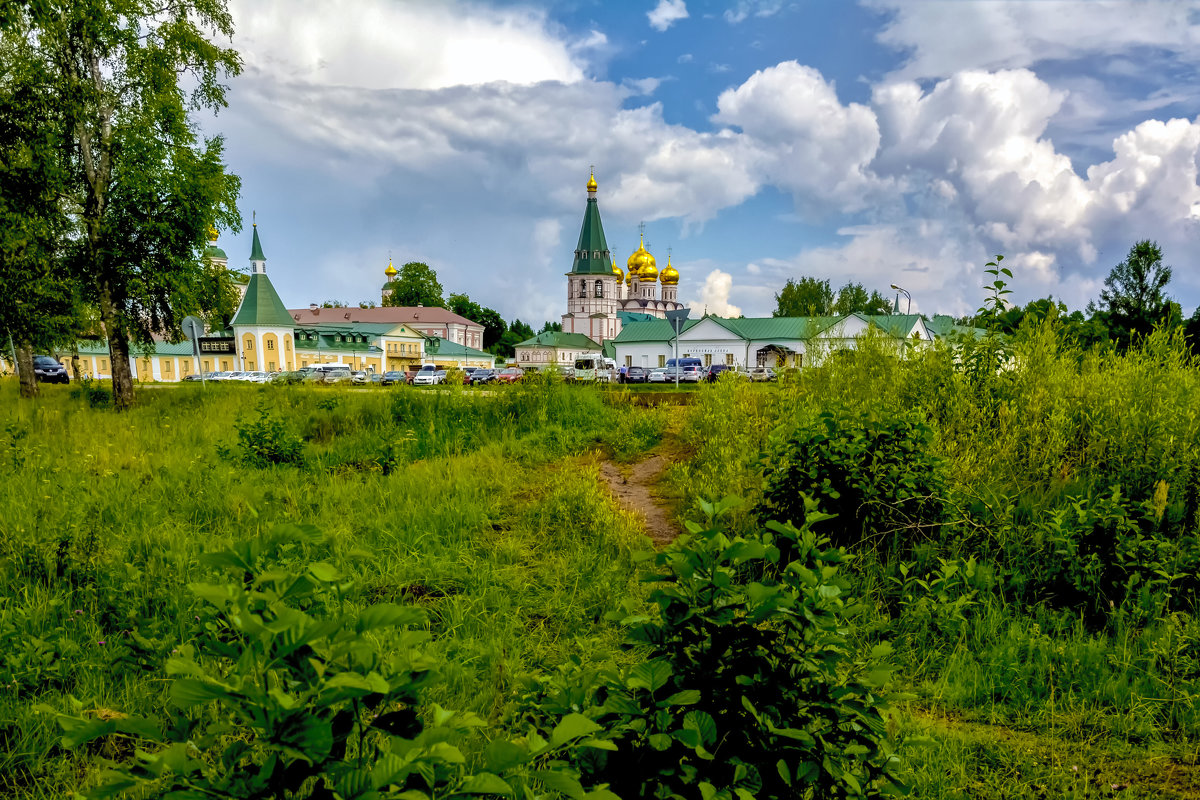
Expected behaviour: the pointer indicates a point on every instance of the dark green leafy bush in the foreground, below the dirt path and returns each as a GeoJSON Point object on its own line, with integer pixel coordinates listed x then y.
{"type": "Point", "coordinates": [749, 687]}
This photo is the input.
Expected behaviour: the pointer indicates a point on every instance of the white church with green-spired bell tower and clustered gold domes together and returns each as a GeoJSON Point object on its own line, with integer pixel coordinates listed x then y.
{"type": "Point", "coordinates": [601, 296]}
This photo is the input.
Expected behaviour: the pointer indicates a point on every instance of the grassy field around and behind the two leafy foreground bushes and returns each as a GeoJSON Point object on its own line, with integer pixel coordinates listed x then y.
{"type": "Point", "coordinates": [1041, 612]}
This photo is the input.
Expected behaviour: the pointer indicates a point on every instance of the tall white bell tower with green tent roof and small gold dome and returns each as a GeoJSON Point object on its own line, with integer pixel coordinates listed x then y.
{"type": "Point", "coordinates": [595, 282]}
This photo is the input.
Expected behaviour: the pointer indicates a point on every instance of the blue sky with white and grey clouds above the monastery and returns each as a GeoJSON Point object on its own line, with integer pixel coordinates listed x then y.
{"type": "Point", "coordinates": [883, 142]}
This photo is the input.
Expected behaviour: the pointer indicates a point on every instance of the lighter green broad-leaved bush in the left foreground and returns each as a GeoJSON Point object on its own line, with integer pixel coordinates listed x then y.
{"type": "Point", "coordinates": [291, 695]}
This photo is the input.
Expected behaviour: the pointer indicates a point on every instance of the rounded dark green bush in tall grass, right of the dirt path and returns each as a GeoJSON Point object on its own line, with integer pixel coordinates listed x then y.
{"type": "Point", "coordinates": [874, 473]}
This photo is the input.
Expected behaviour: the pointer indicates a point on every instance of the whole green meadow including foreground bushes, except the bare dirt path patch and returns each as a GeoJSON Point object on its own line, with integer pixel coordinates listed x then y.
{"type": "Point", "coordinates": [286, 592]}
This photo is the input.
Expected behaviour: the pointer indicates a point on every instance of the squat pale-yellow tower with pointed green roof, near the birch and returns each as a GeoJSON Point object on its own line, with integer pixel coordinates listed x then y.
{"type": "Point", "coordinates": [263, 328]}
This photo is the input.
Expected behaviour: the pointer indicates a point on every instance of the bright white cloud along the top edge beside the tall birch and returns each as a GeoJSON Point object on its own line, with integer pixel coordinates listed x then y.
{"type": "Point", "coordinates": [381, 45]}
